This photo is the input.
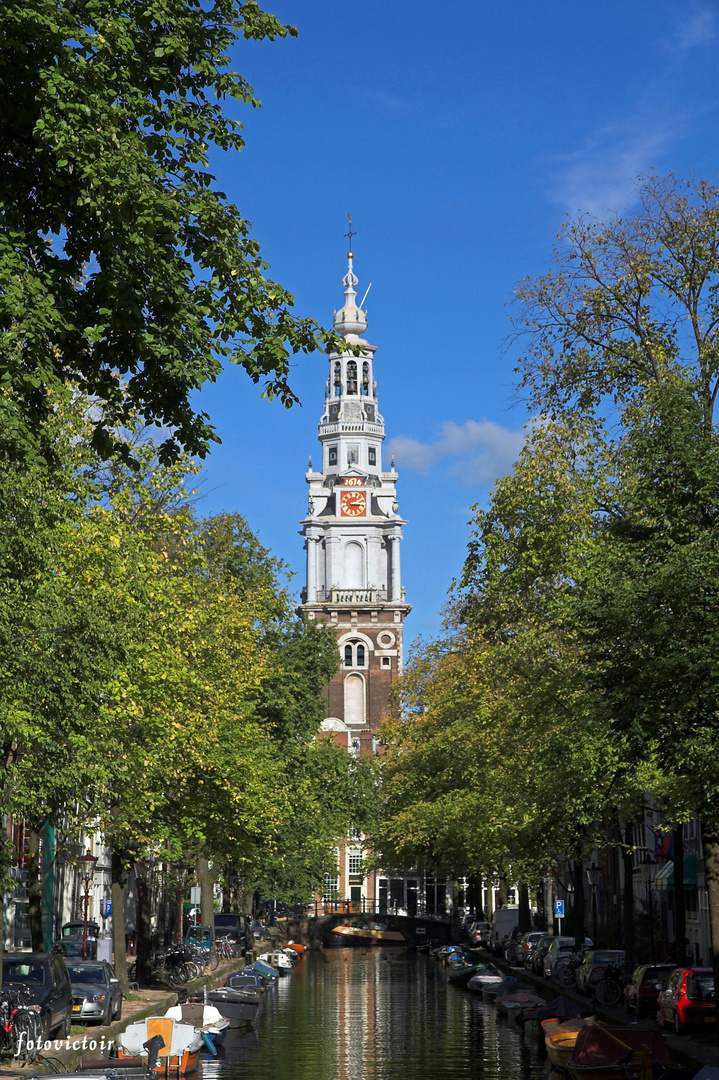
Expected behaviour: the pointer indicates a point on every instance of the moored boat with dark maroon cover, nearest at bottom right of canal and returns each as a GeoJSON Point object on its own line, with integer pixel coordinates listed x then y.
{"type": "Point", "coordinates": [617, 1054]}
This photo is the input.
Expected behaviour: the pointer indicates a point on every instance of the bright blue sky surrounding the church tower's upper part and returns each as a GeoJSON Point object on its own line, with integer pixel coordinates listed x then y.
{"type": "Point", "coordinates": [458, 137]}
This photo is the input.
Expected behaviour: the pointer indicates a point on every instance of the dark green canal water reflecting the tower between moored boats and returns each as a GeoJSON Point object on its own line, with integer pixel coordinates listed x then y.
{"type": "Point", "coordinates": [350, 1015]}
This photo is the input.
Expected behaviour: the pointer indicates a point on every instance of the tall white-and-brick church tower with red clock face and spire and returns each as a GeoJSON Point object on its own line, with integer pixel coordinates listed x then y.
{"type": "Point", "coordinates": [352, 534]}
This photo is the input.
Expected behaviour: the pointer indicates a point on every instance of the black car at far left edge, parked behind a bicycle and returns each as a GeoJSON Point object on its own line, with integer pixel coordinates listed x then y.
{"type": "Point", "coordinates": [46, 976]}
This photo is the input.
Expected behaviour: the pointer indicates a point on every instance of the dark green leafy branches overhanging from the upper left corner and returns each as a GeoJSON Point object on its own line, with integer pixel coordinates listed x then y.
{"type": "Point", "coordinates": [126, 275]}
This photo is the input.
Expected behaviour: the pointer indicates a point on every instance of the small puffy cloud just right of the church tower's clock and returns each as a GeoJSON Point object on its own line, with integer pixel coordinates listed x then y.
{"type": "Point", "coordinates": [478, 451]}
